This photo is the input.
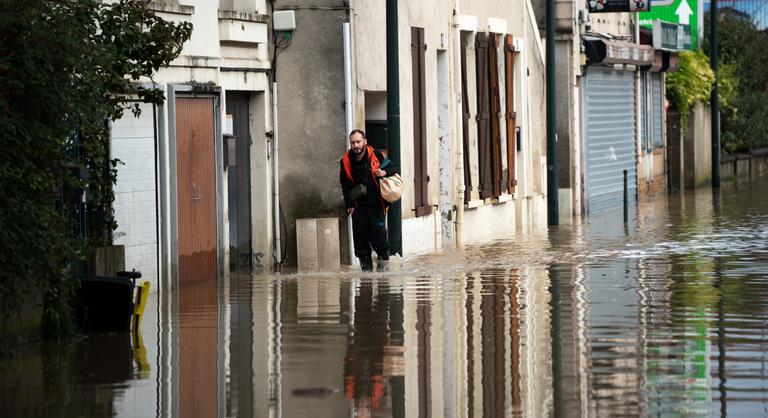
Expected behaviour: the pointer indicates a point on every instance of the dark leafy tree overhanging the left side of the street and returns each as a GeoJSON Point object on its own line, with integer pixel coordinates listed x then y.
{"type": "Point", "coordinates": [66, 70]}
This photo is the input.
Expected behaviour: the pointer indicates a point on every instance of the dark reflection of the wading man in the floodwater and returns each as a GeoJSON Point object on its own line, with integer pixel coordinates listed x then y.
{"type": "Point", "coordinates": [364, 364]}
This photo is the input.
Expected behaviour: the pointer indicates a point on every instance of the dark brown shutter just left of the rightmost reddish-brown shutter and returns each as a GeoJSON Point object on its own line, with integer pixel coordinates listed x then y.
{"type": "Point", "coordinates": [495, 119]}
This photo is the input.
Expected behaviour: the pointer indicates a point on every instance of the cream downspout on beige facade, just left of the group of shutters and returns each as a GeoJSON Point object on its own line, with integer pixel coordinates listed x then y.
{"type": "Point", "coordinates": [458, 110]}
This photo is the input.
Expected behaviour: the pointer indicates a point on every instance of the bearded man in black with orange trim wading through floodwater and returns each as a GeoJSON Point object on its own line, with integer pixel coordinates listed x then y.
{"type": "Point", "coordinates": [361, 169]}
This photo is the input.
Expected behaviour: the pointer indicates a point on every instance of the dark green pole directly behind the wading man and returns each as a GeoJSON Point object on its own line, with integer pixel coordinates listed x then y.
{"type": "Point", "coordinates": [394, 217]}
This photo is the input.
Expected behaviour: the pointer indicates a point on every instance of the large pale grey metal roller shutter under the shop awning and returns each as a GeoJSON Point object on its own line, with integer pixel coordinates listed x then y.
{"type": "Point", "coordinates": [609, 137]}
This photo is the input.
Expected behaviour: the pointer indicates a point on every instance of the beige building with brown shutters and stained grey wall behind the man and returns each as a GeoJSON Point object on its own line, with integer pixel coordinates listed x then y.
{"type": "Point", "coordinates": [472, 152]}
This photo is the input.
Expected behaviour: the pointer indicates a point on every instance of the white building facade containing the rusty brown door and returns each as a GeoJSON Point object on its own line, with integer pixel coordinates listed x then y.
{"type": "Point", "coordinates": [192, 193]}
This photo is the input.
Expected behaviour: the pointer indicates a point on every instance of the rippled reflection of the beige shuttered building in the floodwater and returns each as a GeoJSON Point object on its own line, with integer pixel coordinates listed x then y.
{"type": "Point", "coordinates": [480, 345]}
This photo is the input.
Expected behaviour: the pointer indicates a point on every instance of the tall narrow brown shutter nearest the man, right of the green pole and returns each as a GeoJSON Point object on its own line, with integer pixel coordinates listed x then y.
{"type": "Point", "coordinates": [421, 175]}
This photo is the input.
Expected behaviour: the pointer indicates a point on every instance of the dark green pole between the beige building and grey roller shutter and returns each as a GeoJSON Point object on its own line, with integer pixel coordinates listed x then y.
{"type": "Point", "coordinates": [552, 204]}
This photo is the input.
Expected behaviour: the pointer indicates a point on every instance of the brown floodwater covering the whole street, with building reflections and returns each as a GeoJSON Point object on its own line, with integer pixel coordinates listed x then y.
{"type": "Point", "coordinates": [663, 316]}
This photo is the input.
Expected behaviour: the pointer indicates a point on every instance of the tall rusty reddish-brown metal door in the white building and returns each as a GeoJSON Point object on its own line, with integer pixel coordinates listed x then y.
{"type": "Point", "coordinates": [196, 186]}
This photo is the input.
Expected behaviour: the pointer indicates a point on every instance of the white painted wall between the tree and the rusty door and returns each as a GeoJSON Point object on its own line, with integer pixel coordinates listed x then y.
{"type": "Point", "coordinates": [133, 142]}
